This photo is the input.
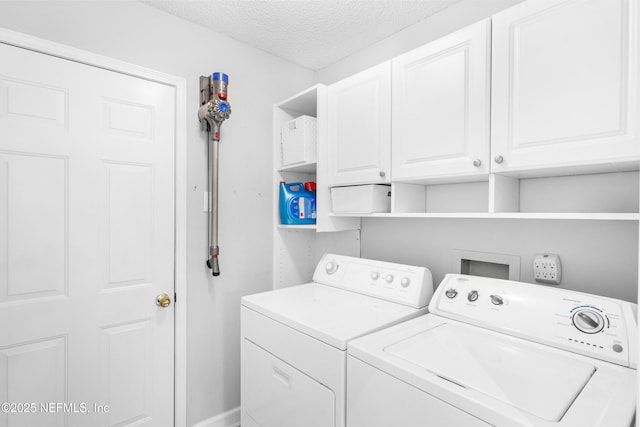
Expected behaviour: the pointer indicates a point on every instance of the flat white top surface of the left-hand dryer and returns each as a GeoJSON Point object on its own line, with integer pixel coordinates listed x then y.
{"type": "Point", "coordinates": [331, 315]}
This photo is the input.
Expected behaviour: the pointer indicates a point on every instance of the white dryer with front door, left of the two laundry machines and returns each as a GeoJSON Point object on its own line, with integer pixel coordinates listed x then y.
{"type": "Point", "coordinates": [294, 340]}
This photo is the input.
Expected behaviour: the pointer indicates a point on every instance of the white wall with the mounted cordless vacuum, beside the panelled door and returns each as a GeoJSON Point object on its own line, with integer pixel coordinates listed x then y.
{"type": "Point", "coordinates": [142, 35]}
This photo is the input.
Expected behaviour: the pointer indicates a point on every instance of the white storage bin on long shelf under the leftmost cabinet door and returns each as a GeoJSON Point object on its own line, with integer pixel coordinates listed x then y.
{"type": "Point", "coordinates": [361, 199]}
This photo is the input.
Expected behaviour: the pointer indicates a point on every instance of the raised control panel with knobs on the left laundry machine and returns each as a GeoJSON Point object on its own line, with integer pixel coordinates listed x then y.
{"type": "Point", "coordinates": [404, 284]}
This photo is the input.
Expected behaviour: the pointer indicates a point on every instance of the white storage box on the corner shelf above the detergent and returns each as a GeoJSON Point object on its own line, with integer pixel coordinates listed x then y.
{"type": "Point", "coordinates": [298, 141]}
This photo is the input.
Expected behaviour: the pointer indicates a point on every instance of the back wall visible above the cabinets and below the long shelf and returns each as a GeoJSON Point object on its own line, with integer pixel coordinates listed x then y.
{"type": "Point", "coordinates": [597, 257]}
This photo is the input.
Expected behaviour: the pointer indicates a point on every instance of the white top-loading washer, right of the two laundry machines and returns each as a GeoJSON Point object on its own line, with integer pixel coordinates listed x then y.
{"type": "Point", "coordinates": [500, 353]}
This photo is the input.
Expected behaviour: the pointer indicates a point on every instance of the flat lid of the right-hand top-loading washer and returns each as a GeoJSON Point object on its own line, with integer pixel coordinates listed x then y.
{"type": "Point", "coordinates": [542, 383]}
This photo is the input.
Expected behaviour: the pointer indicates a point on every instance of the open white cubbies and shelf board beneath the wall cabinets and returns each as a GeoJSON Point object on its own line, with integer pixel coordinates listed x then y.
{"type": "Point", "coordinates": [610, 196]}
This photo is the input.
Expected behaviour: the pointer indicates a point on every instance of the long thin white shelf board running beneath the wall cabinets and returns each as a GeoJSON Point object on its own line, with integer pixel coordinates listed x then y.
{"type": "Point", "coordinates": [506, 215]}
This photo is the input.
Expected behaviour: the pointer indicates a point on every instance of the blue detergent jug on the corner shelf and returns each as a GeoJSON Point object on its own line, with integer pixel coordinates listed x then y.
{"type": "Point", "coordinates": [297, 205]}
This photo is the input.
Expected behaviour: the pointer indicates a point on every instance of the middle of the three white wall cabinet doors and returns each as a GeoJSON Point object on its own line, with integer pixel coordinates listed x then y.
{"type": "Point", "coordinates": [441, 108]}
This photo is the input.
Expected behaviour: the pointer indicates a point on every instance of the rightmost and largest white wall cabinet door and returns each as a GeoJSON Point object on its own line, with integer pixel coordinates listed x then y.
{"type": "Point", "coordinates": [565, 84]}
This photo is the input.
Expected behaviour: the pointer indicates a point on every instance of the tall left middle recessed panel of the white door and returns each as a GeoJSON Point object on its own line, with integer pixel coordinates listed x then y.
{"type": "Point", "coordinates": [27, 183]}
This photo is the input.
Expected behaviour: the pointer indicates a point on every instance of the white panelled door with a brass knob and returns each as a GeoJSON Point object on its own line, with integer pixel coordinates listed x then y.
{"type": "Point", "coordinates": [86, 244]}
